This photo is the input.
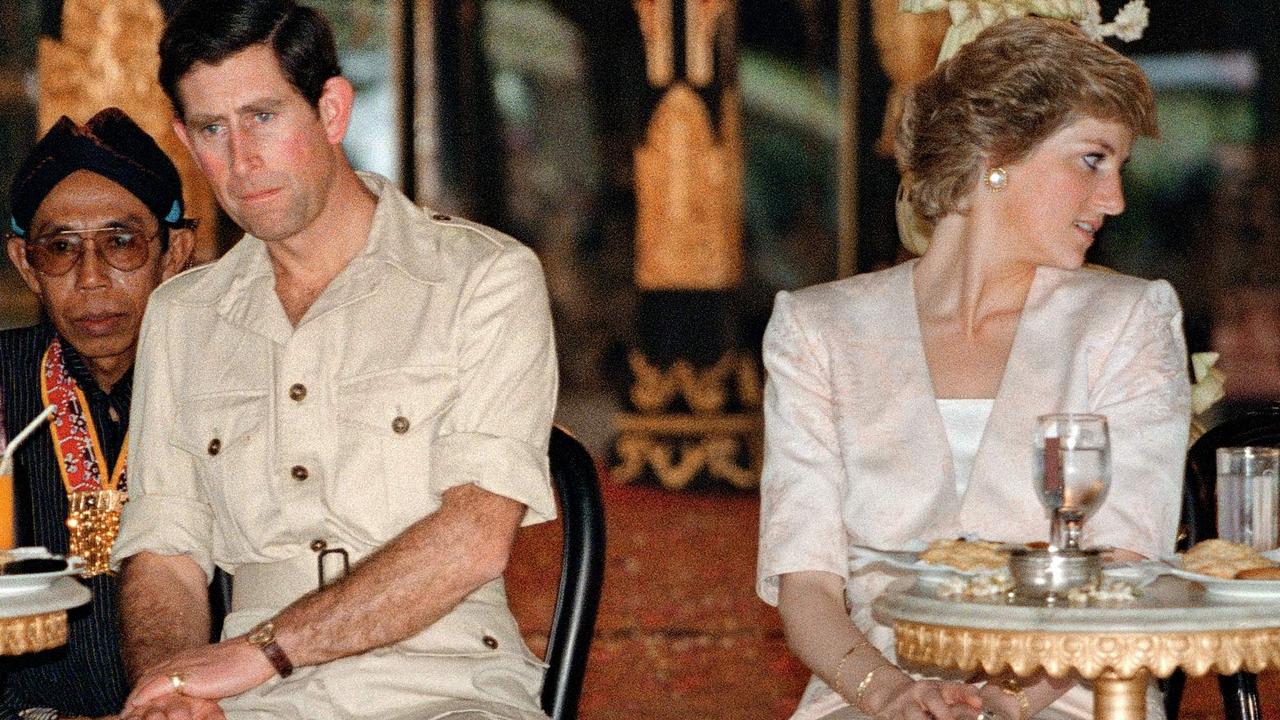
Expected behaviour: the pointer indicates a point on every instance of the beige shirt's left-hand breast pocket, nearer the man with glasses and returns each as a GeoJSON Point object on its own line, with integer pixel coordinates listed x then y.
{"type": "Point", "coordinates": [226, 434]}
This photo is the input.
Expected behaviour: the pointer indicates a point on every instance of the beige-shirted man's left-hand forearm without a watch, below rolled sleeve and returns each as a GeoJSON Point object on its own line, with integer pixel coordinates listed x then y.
{"type": "Point", "coordinates": [164, 609]}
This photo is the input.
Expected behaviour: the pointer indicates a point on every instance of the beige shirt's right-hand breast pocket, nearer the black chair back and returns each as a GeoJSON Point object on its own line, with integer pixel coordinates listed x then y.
{"type": "Point", "coordinates": [392, 418]}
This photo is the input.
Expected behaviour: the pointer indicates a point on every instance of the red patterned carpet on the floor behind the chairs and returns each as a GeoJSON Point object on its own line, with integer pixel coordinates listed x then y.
{"type": "Point", "coordinates": [682, 634]}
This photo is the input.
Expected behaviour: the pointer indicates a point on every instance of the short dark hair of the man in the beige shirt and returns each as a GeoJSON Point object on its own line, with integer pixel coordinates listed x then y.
{"type": "Point", "coordinates": [211, 31]}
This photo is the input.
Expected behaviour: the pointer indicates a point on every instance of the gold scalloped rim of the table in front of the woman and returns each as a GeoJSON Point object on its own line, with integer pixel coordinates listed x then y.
{"type": "Point", "coordinates": [1123, 655]}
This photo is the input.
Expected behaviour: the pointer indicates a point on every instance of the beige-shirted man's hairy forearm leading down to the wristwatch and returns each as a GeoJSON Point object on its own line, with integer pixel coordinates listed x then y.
{"type": "Point", "coordinates": [409, 585]}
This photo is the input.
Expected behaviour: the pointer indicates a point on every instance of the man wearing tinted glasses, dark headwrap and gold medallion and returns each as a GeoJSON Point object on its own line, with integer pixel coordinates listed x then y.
{"type": "Point", "coordinates": [98, 224]}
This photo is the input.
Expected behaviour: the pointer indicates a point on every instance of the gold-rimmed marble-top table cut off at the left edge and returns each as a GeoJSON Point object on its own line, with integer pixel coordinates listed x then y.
{"type": "Point", "coordinates": [36, 621]}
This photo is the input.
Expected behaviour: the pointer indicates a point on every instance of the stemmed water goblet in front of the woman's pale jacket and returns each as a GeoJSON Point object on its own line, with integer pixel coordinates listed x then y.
{"type": "Point", "coordinates": [1073, 472]}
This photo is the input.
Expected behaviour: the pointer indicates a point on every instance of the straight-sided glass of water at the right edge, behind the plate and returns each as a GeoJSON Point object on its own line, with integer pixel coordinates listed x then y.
{"type": "Point", "coordinates": [1249, 490]}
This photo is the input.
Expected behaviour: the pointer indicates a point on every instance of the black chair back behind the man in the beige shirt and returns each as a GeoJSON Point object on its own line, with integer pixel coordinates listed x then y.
{"type": "Point", "coordinates": [582, 575]}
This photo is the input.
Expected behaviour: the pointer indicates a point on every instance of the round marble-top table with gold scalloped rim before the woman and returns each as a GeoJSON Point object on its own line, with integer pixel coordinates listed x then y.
{"type": "Point", "coordinates": [1173, 625]}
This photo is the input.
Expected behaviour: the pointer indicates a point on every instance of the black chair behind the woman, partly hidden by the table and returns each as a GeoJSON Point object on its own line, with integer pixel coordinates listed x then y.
{"type": "Point", "coordinates": [1258, 427]}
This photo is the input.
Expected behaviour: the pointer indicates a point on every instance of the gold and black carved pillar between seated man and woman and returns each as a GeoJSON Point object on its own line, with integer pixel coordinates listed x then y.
{"type": "Point", "coordinates": [696, 394]}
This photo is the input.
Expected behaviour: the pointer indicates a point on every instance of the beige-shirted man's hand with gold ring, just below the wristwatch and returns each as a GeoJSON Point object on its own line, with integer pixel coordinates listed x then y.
{"type": "Point", "coordinates": [211, 672]}
